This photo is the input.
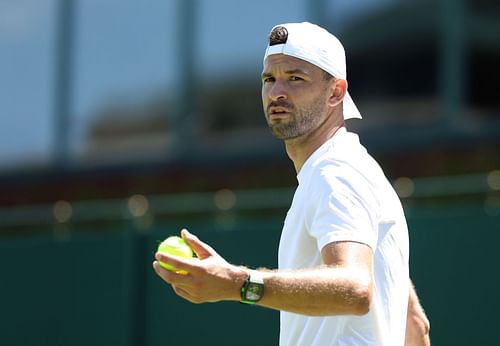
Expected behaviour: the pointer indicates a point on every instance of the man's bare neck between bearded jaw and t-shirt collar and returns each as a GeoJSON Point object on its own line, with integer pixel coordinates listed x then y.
{"type": "Point", "coordinates": [301, 148]}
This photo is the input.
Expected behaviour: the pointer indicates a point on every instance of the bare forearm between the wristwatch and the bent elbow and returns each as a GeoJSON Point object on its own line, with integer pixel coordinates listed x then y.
{"type": "Point", "coordinates": [318, 292]}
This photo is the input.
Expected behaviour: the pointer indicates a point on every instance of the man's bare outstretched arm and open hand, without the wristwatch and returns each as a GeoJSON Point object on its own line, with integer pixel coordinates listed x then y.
{"type": "Point", "coordinates": [342, 286]}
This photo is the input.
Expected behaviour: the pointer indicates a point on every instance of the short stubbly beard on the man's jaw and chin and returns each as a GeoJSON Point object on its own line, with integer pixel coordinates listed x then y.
{"type": "Point", "coordinates": [301, 120]}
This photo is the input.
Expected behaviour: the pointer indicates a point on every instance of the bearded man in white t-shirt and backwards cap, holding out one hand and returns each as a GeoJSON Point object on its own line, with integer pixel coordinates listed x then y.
{"type": "Point", "coordinates": [343, 275]}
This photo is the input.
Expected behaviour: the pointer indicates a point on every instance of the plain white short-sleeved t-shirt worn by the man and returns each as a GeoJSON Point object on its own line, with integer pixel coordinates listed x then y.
{"type": "Point", "coordinates": [343, 195]}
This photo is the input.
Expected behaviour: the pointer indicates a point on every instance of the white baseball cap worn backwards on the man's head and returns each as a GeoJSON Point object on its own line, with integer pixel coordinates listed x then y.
{"type": "Point", "coordinates": [317, 46]}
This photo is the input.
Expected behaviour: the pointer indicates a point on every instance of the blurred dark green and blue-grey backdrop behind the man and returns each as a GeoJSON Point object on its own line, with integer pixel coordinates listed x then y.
{"type": "Point", "coordinates": [123, 121]}
